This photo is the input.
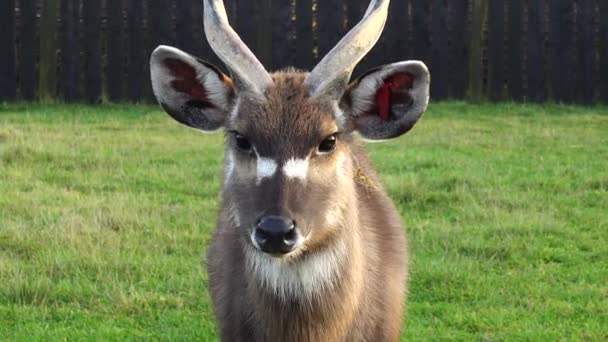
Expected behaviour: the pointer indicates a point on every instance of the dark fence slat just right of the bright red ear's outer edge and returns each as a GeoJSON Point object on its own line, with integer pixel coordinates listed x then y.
{"type": "Point", "coordinates": [439, 67]}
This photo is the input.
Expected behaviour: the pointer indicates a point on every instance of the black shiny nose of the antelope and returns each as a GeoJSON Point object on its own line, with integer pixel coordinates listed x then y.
{"type": "Point", "coordinates": [276, 234]}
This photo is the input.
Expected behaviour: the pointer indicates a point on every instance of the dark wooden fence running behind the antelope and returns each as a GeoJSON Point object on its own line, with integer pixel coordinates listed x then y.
{"type": "Point", "coordinates": [98, 50]}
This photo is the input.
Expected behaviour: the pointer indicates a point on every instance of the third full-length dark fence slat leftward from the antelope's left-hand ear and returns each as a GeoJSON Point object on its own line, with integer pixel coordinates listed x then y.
{"type": "Point", "coordinates": [92, 50]}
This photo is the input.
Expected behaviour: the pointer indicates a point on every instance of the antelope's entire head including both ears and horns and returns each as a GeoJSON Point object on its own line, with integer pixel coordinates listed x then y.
{"type": "Point", "coordinates": [289, 160]}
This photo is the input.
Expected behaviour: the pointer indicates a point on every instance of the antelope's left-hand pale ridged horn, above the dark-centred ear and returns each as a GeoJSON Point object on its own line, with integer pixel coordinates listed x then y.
{"type": "Point", "coordinates": [245, 68]}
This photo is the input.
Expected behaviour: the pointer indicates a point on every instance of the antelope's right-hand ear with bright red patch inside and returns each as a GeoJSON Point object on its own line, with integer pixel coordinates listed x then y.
{"type": "Point", "coordinates": [386, 102]}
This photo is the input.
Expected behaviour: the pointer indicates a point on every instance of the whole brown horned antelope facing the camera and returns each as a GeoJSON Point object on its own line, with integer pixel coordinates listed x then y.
{"type": "Point", "coordinates": [308, 246]}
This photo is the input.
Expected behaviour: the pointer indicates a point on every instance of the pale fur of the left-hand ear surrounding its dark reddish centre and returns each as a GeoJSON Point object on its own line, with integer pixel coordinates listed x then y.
{"type": "Point", "coordinates": [217, 91]}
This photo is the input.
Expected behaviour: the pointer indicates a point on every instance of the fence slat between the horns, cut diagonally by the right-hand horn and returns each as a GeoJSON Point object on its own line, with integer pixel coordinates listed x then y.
{"type": "Point", "coordinates": [330, 29]}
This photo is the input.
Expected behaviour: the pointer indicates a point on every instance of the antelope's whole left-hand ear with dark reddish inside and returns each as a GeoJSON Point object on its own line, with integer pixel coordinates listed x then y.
{"type": "Point", "coordinates": [193, 92]}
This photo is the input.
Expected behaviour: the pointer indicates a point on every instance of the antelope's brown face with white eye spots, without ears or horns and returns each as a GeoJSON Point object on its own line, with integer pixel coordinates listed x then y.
{"type": "Point", "coordinates": [287, 157]}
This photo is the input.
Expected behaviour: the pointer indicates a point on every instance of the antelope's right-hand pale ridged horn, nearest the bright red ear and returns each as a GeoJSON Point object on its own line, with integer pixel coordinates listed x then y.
{"type": "Point", "coordinates": [333, 72]}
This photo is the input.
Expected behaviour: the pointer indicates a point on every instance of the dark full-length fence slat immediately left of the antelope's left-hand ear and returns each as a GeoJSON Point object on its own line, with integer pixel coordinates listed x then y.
{"type": "Point", "coordinates": [135, 47]}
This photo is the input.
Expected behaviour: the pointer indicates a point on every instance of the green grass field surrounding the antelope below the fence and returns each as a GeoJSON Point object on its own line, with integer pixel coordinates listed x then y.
{"type": "Point", "coordinates": [105, 212]}
